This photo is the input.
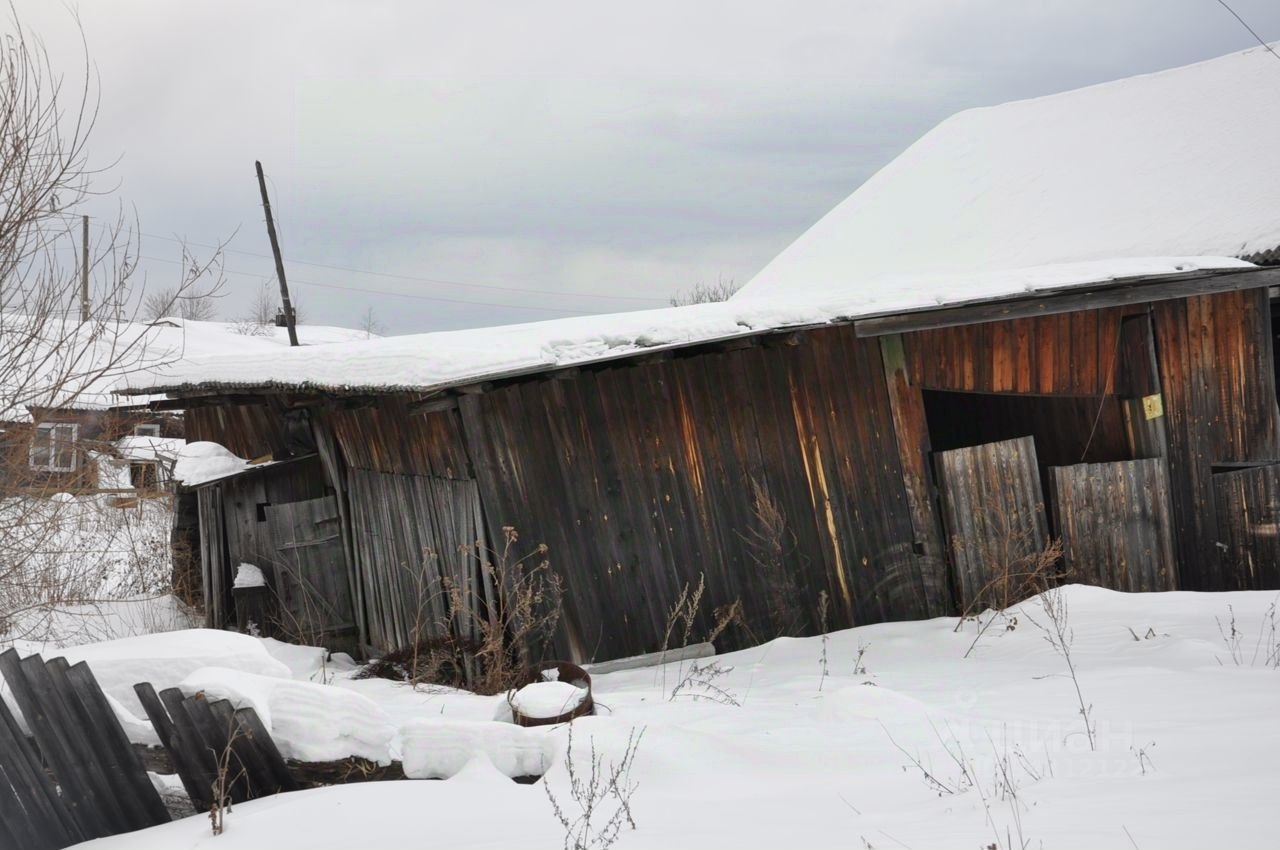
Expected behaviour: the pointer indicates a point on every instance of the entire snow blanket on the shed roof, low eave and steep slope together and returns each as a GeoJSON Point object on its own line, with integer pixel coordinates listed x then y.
{"type": "Point", "coordinates": [1153, 176]}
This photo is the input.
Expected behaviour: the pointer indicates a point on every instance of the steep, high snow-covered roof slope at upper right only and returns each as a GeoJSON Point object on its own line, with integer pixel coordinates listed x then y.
{"type": "Point", "coordinates": [1178, 163]}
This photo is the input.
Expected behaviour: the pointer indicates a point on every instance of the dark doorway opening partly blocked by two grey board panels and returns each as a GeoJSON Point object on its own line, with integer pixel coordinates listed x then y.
{"type": "Point", "coordinates": [1089, 468]}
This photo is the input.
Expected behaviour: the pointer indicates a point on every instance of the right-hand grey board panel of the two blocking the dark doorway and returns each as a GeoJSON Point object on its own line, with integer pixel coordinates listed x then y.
{"type": "Point", "coordinates": [1116, 524]}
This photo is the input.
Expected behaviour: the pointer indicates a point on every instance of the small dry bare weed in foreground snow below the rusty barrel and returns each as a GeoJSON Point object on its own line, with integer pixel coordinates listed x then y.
{"type": "Point", "coordinates": [600, 801]}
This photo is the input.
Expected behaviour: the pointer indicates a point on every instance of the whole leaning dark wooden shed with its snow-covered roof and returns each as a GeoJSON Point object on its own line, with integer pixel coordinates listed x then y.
{"type": "Point", "coordinates": [1048, 319]}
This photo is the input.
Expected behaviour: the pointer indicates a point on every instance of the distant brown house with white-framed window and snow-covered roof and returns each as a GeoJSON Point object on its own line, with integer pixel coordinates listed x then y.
{"type": "Point", "coordinates": [71, 433]}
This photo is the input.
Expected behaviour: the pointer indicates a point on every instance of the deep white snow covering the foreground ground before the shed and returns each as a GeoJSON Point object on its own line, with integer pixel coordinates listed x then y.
{"type": "Point", "coordinates": [1187, 746]}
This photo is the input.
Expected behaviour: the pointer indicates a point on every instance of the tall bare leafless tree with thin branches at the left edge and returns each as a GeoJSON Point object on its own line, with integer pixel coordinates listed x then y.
{"type": "Point", "coordinates": [60, 351]}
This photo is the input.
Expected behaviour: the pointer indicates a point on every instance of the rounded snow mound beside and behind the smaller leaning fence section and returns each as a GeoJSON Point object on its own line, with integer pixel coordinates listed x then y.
{"type": "Point", "coordinates": [309, 723]}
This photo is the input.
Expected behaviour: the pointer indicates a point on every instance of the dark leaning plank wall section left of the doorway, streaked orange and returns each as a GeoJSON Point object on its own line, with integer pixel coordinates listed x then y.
{"type": "Point", "coordinates": [642, 477]}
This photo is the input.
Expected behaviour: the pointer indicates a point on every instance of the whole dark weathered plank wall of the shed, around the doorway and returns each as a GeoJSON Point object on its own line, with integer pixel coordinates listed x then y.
{"type": "Point", "coordinates": [644, 474]}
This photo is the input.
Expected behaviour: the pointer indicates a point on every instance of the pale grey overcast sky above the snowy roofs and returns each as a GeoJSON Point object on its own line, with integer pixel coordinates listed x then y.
{"type": "Point", "coordinates": [528, 161]}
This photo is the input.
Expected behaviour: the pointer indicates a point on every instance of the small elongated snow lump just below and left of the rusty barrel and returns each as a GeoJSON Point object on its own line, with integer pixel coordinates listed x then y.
{"type": "Point", "coordinates": [440, 750]}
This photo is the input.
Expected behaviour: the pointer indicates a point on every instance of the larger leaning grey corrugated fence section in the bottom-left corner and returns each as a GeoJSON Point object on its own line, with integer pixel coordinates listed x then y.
{"type": "Point", "coordinates": [95, 785]}
